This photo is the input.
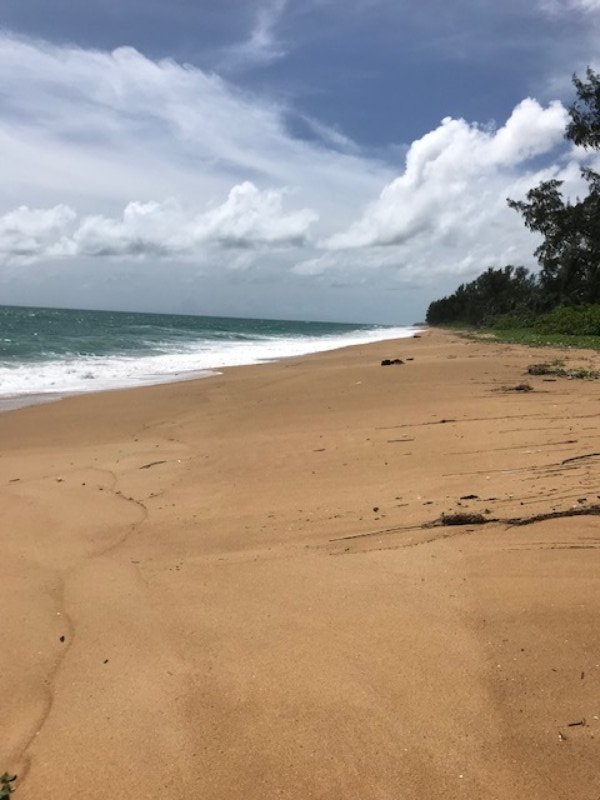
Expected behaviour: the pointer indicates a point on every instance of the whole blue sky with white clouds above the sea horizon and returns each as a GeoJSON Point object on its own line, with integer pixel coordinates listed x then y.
{"type": "Point", "coordinates": [343, 161]}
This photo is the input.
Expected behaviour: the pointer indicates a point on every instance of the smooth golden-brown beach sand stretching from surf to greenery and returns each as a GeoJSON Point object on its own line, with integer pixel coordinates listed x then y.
{"type": "Point", "coordinates": [252, 607]}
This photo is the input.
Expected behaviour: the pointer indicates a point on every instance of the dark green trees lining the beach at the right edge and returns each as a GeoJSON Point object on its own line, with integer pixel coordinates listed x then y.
{"type": "Point", "coordinates": [569, 255]}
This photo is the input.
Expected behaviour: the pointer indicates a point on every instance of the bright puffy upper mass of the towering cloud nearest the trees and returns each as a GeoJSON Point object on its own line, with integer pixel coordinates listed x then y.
{"type": "Point", "coordinates": [452, 174]}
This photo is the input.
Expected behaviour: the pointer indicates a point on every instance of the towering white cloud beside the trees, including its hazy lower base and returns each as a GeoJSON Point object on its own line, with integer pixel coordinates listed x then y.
{"type": "Point", "coordinates": [447, 211]}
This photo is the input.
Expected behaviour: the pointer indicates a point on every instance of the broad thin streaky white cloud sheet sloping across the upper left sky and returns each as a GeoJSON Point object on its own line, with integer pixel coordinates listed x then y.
{"type": "Point", "coordinates": [101, 128]}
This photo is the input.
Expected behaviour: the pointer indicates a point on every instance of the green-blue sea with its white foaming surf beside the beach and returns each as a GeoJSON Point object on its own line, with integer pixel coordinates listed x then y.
{"type": "Point", "coordinates": [47, 353]}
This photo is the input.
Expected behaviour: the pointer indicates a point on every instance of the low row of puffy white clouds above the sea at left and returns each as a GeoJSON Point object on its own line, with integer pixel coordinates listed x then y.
{"type": "Point", "coordinates": [249, 218]}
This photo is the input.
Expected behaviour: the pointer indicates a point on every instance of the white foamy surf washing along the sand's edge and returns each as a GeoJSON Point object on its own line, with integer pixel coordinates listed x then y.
{"type": "Point", "coordinates": [20, 383]}
